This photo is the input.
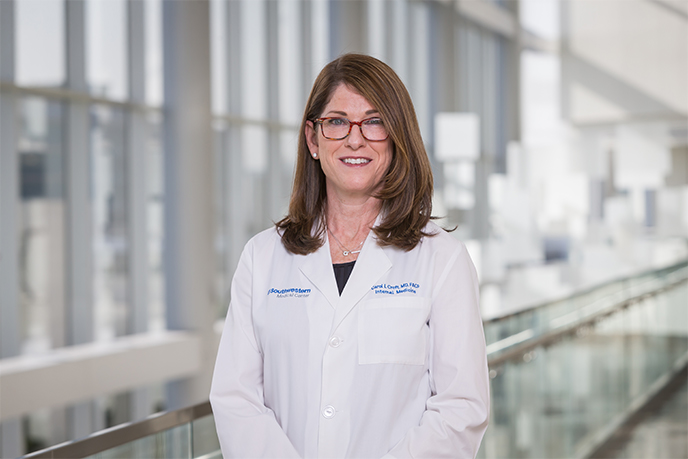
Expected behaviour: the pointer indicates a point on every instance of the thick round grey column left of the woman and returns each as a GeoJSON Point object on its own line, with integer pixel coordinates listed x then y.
{"type": "Point", "coordinates": [189, 222]}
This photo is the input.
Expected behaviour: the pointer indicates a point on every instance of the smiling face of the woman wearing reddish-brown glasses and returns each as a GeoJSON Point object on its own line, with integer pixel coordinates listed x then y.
{"type": "Point", "coordinates": [353, 167]}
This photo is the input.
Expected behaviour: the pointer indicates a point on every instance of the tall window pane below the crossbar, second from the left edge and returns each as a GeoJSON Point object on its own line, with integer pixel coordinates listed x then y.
{"type": "Point", "coordinates": [108, 187]}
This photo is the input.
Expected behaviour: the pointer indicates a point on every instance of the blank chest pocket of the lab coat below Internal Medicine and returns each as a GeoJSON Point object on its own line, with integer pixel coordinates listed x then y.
{"type": "Point", "coordinates": [393, 330]}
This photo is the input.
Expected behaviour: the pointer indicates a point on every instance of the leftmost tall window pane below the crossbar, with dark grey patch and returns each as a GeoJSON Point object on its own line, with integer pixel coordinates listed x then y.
{"type": "Point", "coordinates": [41, 225]}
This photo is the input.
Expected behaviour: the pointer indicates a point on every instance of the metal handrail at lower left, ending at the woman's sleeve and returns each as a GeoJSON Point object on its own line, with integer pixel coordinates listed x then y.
{"type": "Point", "coordinates": [123, 433]}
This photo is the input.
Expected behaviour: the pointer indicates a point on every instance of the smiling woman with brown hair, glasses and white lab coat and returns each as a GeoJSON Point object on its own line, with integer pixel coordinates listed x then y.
{"type": "Point", "coordinates": [354, 329]}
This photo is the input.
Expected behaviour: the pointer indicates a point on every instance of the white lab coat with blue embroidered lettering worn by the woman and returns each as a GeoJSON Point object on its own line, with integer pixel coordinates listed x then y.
{"type": "Point", "coordinates": [395, 367]}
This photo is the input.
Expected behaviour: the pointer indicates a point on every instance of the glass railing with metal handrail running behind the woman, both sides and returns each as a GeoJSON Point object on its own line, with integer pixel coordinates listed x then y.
{"type": "Point", "coordinates": [608, 350]}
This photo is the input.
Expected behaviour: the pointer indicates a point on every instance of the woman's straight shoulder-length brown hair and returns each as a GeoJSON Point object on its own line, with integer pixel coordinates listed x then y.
{"type": "Point", "coordinates": [406, 188]}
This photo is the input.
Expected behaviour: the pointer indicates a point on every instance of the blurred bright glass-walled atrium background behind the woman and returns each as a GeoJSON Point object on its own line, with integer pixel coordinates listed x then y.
{"type": "Point", "coordinates": [142, 143]}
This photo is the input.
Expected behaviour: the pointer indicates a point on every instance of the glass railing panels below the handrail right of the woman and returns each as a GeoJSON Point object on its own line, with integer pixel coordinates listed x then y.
{"type": "Point", "coordinates": [566, 397]}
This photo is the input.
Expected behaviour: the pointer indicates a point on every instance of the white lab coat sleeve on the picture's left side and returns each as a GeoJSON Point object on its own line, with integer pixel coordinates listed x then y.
{"type": "Point", "coordinates": [245, 426]}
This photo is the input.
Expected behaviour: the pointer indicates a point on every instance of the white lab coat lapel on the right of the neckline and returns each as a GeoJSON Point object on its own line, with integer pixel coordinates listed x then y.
{"type": "Point", "coordinates": [372, 263]}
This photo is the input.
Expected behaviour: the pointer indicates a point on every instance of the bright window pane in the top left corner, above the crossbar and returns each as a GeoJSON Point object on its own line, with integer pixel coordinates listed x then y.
{"type": "Point", "coordinates": [40, 50]}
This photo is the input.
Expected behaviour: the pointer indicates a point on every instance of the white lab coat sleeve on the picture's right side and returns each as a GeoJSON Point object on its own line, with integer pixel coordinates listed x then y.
{"type": "Point", "coordinates": [457, 412]}
